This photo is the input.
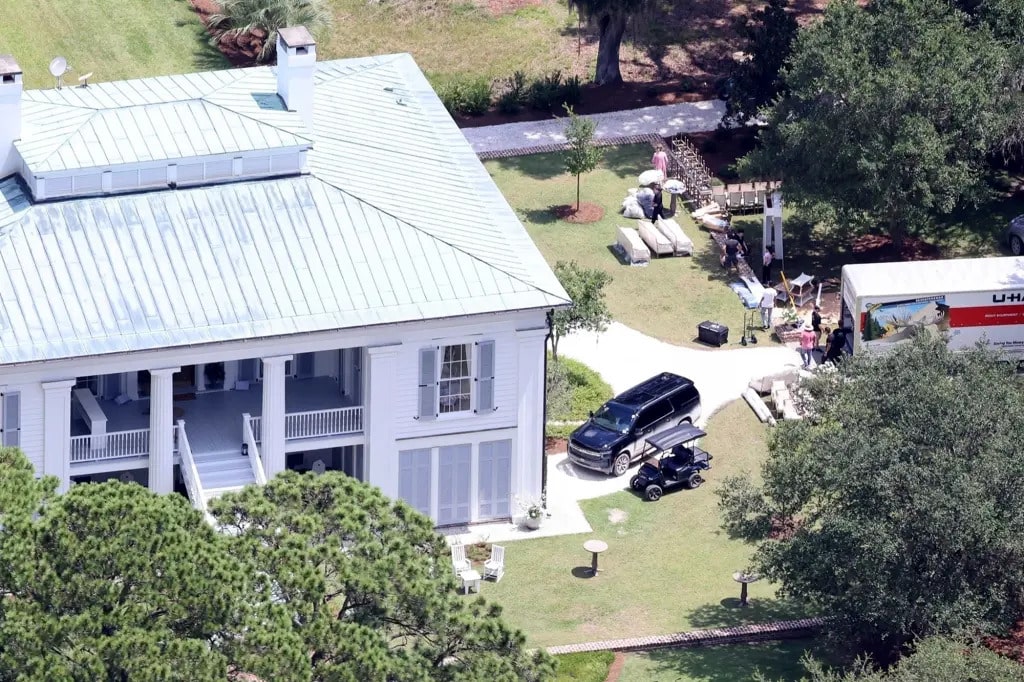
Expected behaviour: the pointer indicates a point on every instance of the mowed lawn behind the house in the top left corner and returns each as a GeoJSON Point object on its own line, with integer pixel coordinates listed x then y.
{"type": "Point", "coordinates": [114, 39]}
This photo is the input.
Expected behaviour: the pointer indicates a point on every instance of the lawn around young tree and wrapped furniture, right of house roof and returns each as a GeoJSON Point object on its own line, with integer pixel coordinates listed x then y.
{"type": "Point", "coordinates": [668, 299]}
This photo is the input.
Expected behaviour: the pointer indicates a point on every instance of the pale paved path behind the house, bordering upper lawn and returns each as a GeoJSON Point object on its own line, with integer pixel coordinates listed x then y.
{"type": "Point", "coordinates": [666, 120]}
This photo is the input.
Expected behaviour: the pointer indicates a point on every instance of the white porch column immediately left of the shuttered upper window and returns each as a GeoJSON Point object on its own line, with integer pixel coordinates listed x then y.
{"type": "Point", "coordinates": [379, 416]}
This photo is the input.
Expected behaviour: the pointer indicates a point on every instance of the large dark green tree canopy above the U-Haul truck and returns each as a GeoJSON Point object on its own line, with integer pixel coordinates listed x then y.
{"type": "Point", "coordinates": [890, 113]}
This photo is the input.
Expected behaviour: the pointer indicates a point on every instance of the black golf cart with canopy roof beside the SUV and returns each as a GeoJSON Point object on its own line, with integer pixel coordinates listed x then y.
{"type": "Point", "coordinates": [677, 462]}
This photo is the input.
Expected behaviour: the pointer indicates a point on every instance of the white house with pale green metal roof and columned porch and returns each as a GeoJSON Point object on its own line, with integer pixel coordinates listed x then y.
{"type": "Point", "coordinates": [210, 278]}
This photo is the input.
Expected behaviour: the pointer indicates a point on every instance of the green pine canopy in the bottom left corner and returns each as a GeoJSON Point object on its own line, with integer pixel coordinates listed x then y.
{"type": "Point", "coordinates": [111, 582]}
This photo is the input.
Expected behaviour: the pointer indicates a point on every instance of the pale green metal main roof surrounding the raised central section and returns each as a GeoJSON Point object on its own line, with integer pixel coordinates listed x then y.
{"type": "Point", "coordinates": [397, 222]}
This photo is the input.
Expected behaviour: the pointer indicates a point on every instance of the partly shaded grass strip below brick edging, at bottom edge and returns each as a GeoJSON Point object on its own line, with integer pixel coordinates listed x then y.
{"type": "Point", "coordinates": [777, 661]}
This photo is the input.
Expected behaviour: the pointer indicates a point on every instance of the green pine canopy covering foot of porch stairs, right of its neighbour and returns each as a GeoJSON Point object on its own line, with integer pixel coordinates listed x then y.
{"type": "Point", "coordinates": [363, 589]}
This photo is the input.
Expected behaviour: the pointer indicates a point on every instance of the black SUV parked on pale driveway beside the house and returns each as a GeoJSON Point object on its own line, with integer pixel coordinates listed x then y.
{"type": "Point", "coordinates": [617, 435]}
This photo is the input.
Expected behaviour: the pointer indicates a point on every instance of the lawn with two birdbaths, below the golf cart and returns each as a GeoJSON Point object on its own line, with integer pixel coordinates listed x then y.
{"type": "Point", "coordinates": [669, 566]}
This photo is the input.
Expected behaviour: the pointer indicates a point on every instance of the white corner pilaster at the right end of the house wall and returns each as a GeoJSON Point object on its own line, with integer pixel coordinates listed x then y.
{"type": "Point", "coordinates": [528, 462]}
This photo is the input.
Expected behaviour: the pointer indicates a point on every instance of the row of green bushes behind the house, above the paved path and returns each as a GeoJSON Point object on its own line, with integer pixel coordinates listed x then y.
{"type": "Point", "coordinates": [474, 97]}
